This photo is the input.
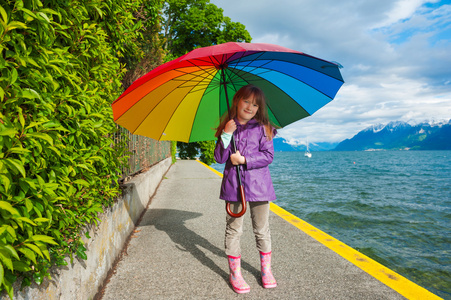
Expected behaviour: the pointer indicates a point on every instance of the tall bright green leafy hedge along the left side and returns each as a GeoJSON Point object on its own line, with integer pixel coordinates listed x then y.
{"type": "Point", "coordinates": [60, 69]}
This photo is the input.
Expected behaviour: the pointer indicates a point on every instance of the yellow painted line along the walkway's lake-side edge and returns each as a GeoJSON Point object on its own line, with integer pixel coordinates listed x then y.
{"type": "Point", "coordinates": [402, 285]}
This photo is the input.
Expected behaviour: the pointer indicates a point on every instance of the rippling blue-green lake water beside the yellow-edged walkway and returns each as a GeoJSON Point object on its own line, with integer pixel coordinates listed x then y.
{"type": "Point", "coordinates": [393, 206]}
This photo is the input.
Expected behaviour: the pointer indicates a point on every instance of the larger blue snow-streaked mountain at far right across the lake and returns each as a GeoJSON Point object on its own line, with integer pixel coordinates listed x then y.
{"type": "Point", "coordinates": [401, 136]}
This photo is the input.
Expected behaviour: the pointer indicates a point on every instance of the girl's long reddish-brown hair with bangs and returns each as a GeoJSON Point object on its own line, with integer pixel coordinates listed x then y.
{"type": "Point", "coordinates": [261, 116]}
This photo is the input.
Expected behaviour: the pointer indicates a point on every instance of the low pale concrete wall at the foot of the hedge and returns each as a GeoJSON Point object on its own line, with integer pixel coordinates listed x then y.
{"type": "Point", "coordinates": [83, 278]}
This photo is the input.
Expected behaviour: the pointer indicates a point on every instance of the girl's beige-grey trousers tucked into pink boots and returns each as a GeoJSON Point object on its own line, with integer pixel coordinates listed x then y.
{"type": "Point", "coordinates": [260, 224]}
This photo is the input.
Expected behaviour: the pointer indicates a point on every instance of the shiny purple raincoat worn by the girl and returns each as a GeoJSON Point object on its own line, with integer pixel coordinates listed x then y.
{"type": "Point", "coordinates": [253, 144]}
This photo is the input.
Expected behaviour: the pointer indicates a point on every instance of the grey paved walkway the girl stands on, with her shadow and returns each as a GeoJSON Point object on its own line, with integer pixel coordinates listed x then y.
{"type": "Point", "coordinates": [177, 252]}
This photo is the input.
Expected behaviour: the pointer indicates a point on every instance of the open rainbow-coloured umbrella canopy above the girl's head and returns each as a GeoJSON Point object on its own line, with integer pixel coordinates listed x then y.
{"type": "Point", "coordinates": [184, 99]}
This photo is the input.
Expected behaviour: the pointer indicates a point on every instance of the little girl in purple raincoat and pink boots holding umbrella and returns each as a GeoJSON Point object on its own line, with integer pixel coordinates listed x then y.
{"type": "Point", "coordinates": [253, 133]}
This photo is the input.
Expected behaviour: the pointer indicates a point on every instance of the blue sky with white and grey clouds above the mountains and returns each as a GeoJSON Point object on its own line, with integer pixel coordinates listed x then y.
{"type": "Point", "coordinates": [396, 58]}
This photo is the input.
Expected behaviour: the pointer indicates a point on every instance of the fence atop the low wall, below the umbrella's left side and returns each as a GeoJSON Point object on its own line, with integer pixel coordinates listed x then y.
{"type": "Point", "coordinates": [143, 151]}
